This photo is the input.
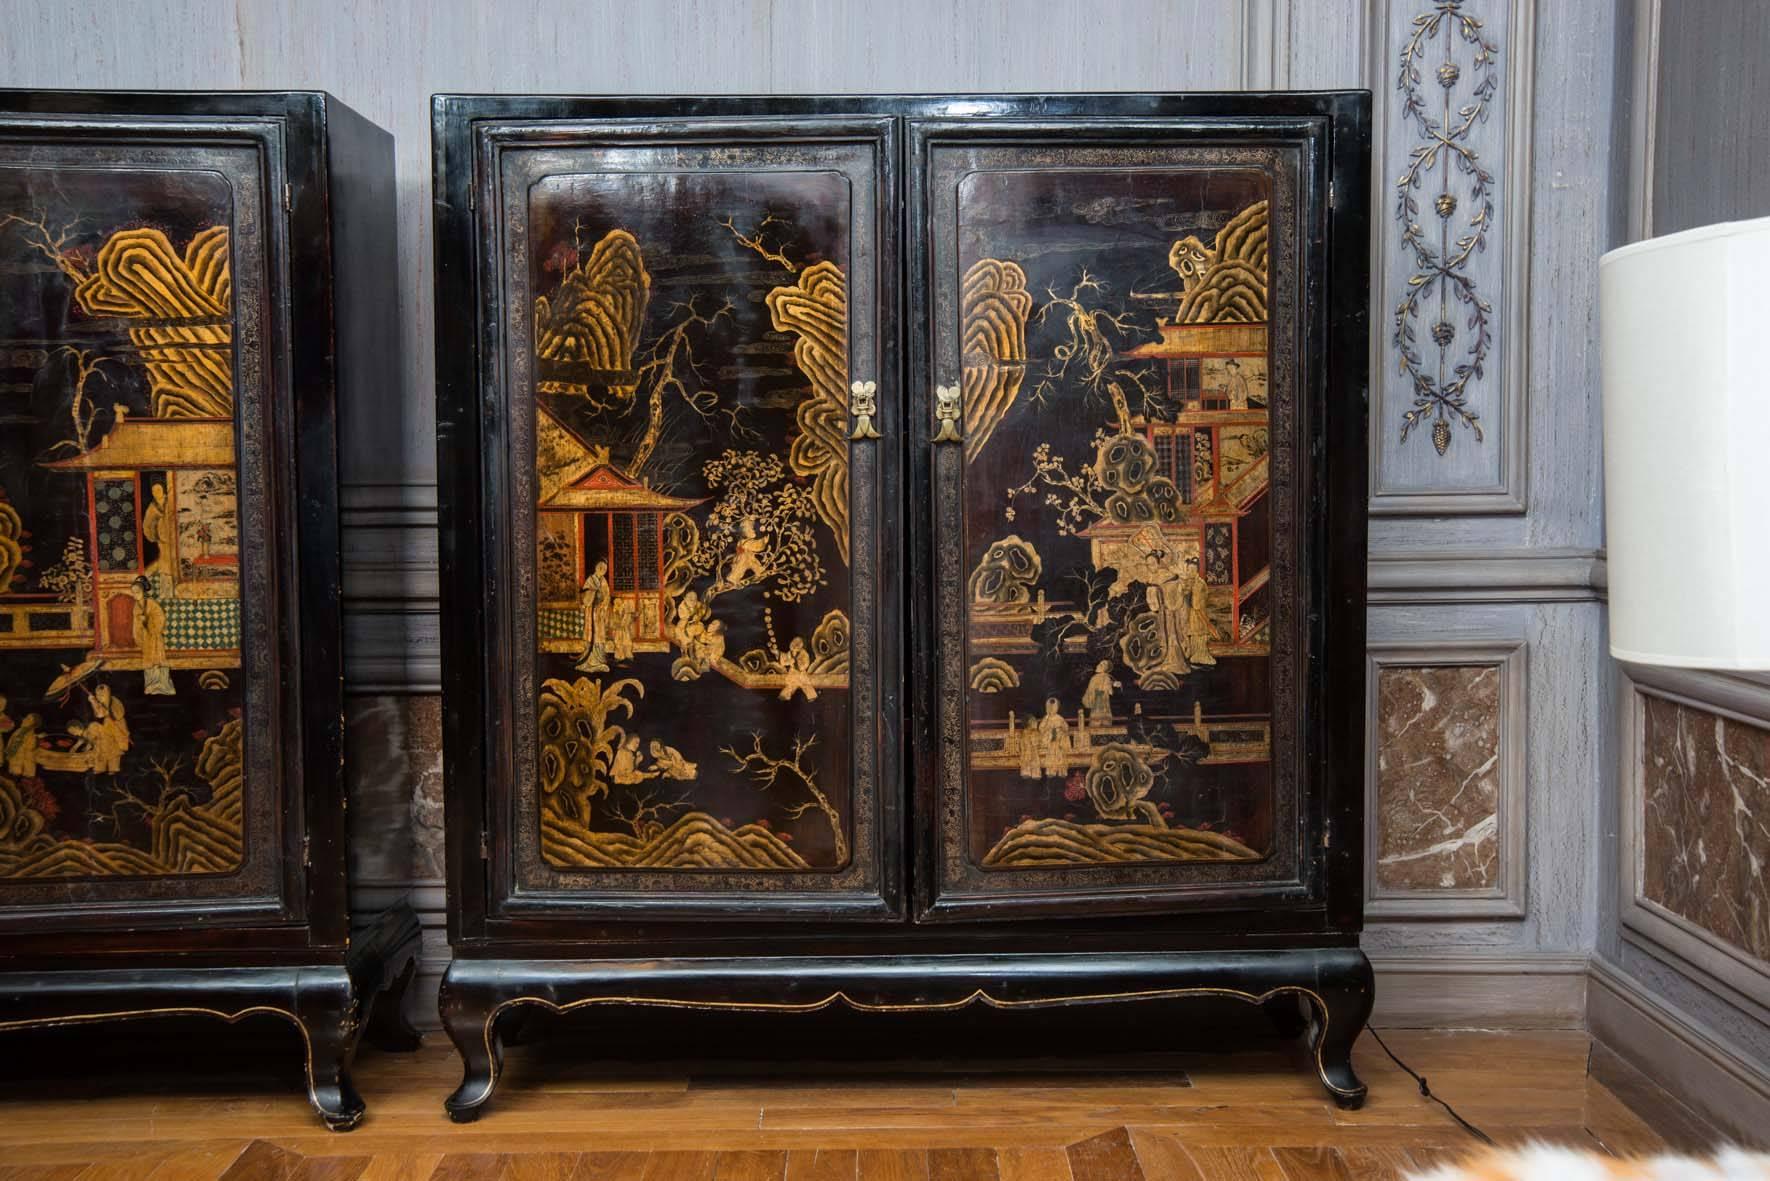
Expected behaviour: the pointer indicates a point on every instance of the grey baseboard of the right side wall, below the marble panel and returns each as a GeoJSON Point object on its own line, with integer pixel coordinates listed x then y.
{"type": "Point", "coordinates": [1681, 1054]}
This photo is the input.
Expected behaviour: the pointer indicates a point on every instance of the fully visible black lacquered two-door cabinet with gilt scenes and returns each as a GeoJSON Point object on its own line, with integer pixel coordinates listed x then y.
{"type": "Point", "coordinates": [904, 555]}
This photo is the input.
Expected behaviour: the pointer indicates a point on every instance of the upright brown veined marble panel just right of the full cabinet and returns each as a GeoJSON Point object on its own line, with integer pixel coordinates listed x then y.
{"type": "Point", "coordinates": [1438, 778]}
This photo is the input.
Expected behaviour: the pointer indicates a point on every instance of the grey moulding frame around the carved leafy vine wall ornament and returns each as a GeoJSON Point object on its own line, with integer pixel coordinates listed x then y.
{"type": "Point", "coordinates": [1509, 429]}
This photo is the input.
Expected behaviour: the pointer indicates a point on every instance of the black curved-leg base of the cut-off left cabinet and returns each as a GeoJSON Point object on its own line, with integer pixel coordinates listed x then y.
{"type": "Point", "coordinates": [332, 1005]}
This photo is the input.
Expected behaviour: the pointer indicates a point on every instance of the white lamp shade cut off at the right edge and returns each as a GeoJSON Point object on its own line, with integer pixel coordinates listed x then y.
{"type": "Point", "coordinates": [1686, 339]}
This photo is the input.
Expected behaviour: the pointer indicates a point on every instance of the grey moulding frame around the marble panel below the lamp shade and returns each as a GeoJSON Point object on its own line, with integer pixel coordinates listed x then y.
{"type": "Point", "coordinates": [1645, 923]}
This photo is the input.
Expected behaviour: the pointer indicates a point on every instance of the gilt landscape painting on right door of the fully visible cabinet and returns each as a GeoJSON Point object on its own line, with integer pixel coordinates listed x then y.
{"type": "Point", "coordinates": [1118, 534]}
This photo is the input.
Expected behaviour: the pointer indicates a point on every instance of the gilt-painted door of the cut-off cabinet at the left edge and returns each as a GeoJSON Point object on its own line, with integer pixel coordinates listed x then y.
{"type": "Point", "coordinates": [148, 707]}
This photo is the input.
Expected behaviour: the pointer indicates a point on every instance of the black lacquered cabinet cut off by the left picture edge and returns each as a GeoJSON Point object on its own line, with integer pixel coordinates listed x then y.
{"type": "Point", "coordinates": [189, 284]}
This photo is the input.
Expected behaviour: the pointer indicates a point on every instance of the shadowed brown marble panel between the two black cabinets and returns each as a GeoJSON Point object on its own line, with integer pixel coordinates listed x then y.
{"type": "Point", "coordinates": [394, 760]}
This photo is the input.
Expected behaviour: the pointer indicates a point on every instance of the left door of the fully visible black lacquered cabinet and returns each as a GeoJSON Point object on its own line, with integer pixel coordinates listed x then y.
{"type": "Point", "coordinates": [677, 436]}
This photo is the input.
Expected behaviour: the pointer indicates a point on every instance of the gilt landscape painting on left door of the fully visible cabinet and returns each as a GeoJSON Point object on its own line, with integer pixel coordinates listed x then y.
{"type": "Point", "coordinates": [693, 520]}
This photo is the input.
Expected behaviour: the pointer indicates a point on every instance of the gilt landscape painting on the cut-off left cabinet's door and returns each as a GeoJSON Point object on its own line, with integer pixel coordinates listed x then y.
{"type": "Point", "coordinates": [119, 527]}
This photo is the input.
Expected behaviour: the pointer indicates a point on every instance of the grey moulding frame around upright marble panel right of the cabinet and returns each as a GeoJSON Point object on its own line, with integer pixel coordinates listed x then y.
{"type": "Point", "coordinates": [1507, 899]}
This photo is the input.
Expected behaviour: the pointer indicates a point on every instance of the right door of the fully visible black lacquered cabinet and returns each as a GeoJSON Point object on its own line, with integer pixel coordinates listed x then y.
{"type": "Point", "coordinates": [1120, 362]}
